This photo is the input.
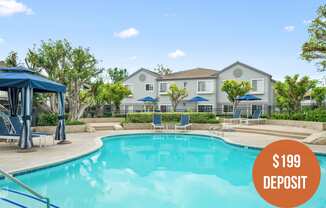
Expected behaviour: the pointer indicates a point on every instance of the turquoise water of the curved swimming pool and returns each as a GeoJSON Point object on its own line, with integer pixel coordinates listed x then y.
{"type": "Point", "coordinates": [158, 170]}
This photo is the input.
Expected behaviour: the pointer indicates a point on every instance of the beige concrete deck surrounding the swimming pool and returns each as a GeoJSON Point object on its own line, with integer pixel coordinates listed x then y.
{"type": "Point", "coordinates": [84, 143]}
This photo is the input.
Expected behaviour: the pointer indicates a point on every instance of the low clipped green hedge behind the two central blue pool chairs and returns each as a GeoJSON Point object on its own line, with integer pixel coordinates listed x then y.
{"type": "Point", "coordinates": [172, 117]}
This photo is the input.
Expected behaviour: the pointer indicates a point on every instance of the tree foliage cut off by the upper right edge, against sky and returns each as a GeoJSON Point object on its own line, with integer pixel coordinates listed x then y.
{"type": "Point", "coordinates": [315, 48]}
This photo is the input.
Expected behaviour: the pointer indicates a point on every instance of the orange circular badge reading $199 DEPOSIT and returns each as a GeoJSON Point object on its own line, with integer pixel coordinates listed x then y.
{"type": "Point", "coordinates": [286, 173]}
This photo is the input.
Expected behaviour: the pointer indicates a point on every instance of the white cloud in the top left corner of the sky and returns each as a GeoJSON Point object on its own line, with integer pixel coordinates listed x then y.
{"type": "Point", "coordinates": [11, 7]}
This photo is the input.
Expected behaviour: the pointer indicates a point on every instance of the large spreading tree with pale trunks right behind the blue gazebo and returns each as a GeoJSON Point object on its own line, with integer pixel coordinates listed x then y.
{"type": "Point", "coordinates": [74, 67]}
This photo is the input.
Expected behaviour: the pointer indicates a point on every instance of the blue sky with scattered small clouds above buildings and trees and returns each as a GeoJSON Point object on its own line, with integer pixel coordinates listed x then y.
{"type": "Point", "coordinates": [181, 34]}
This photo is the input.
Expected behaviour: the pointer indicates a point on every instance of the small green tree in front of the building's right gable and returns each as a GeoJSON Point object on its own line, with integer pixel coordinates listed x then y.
{"type": "Point", "coordinates": [235, 89]}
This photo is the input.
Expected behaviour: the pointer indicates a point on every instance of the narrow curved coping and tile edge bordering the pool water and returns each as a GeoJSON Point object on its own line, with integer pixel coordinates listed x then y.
{"type": "Point", "coordinates": [99, 144]}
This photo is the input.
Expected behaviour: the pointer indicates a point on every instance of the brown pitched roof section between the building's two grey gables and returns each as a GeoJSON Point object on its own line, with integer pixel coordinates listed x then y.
{"type": "Point", "coordinates": [191, 74]}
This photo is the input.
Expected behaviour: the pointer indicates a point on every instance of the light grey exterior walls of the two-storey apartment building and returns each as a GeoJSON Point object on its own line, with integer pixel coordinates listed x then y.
{"type": "Point", "coordinates": [216, 99]}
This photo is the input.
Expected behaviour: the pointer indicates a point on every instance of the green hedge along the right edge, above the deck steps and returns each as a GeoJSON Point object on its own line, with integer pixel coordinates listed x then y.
{"type": "Point", "coordinates": [318, 115]}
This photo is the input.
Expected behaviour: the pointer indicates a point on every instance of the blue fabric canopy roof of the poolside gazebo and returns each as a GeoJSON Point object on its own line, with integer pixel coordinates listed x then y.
{"type": "Point", "coordinates": [25, 78]}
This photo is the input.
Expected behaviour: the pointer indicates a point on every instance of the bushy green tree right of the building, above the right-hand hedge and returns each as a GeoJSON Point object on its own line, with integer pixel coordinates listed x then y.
{"type": "Point", "coordinates": [292, 91]}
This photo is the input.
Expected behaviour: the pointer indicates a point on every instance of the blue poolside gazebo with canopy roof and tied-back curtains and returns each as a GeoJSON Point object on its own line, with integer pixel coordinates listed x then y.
{"type": "Point", "coordinates": [24, 82]}
